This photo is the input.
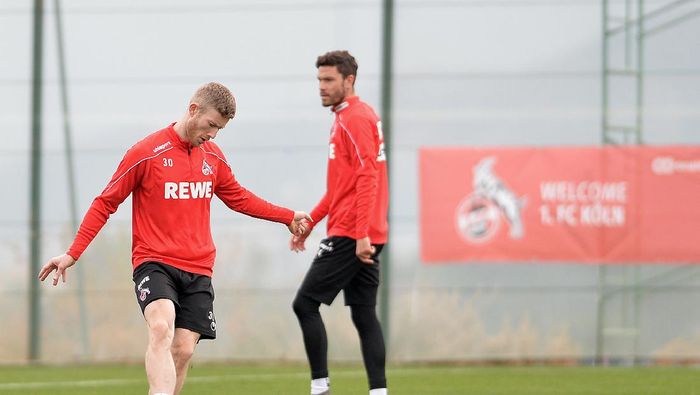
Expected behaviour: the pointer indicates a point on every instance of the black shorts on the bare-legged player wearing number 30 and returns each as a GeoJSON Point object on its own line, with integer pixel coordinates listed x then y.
{"type": "Point", "coordinates": [192, 294]}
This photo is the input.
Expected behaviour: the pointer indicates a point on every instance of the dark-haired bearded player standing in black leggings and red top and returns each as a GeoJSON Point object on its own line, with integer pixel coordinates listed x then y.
{"type": "Point", "coordinates": [356, 203]}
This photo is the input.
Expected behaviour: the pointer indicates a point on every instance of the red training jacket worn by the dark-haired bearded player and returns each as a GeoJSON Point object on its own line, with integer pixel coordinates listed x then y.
{"type": "Point", "coordinates": [357, 190]}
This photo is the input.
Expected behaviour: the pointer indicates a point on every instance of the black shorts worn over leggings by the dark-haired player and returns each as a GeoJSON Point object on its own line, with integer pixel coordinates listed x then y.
{"type": "Point", "coordinates": [336, 267]}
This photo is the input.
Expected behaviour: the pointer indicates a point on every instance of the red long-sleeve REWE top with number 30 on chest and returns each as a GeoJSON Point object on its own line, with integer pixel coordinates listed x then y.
{"type": "Point", "coordinates": [172, 184]}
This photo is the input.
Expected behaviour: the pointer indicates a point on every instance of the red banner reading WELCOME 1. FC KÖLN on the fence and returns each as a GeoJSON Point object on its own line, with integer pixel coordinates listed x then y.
{"type": "Point", "coordinates": [584, 204]}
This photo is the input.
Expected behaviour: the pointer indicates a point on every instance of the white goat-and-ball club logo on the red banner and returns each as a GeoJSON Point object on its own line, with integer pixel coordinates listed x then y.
{"type": "Point", "coordinates": [478, 216]}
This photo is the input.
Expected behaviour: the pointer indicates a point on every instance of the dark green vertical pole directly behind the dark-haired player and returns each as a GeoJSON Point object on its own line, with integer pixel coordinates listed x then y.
{"type": "Point", "coordinates": [387, 58]}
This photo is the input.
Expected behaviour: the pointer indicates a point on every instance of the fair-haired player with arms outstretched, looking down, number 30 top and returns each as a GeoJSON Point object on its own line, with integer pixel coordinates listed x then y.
{"type": "Point", "coordinates": [173, 175]}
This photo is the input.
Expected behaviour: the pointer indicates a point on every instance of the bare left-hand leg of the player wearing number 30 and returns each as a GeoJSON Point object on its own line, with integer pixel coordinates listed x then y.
{"type": "Point", "coordinates": [160, 368]}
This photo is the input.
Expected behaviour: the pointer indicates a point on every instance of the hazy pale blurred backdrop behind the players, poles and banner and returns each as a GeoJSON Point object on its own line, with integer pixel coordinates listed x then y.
{"type": "Point", "coordinates": [465, 73]}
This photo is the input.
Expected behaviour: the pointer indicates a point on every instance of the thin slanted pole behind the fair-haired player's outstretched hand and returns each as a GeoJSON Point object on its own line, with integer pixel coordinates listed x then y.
{"type": "Point", "coordinates": [70, 171]}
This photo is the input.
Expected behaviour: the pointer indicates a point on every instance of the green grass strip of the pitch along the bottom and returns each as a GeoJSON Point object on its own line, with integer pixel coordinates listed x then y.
{"type": "Point", "coordinates": [414, 380]}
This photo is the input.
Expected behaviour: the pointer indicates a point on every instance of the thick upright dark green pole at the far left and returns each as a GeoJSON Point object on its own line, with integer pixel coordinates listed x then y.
{"type": "Point", "coordinates": [35, 186]}
